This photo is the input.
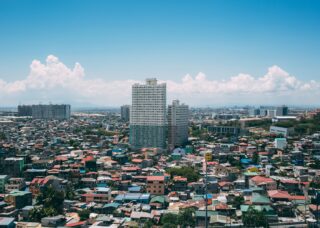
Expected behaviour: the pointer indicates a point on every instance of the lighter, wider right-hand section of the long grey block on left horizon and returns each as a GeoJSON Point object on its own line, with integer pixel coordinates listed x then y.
{"type": "Point", "coordinates": [51, 111]}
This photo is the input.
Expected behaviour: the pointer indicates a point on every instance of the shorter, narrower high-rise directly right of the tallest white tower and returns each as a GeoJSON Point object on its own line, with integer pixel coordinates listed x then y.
{"type": "Point", "coordinates": [178, 121]}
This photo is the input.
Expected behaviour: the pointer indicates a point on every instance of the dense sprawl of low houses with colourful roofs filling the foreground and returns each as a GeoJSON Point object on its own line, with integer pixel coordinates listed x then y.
{"type": "Point", "coordinates": [87, 158]}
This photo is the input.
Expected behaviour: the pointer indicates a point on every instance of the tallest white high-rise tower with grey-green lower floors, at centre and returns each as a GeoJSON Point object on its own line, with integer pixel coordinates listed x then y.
{"type": "Point", "coordinates": [148, 123]}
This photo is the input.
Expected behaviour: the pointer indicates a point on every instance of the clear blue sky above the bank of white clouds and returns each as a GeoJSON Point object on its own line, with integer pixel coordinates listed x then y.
{"type": "Point", "coordinates": [122, 40]}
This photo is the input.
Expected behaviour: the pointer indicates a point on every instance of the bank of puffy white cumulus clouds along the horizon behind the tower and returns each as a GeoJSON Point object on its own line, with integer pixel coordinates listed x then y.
{"type": "Point", "coordinates": [54, 81]}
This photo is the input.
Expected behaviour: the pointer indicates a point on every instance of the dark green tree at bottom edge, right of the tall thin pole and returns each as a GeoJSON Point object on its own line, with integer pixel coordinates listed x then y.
{"type": "Point", "coordinates": [254, 218]}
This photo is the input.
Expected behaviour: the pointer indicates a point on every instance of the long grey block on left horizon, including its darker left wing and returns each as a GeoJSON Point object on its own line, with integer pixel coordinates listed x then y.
{"type": "Point", "coordinates": [50, 111]}
